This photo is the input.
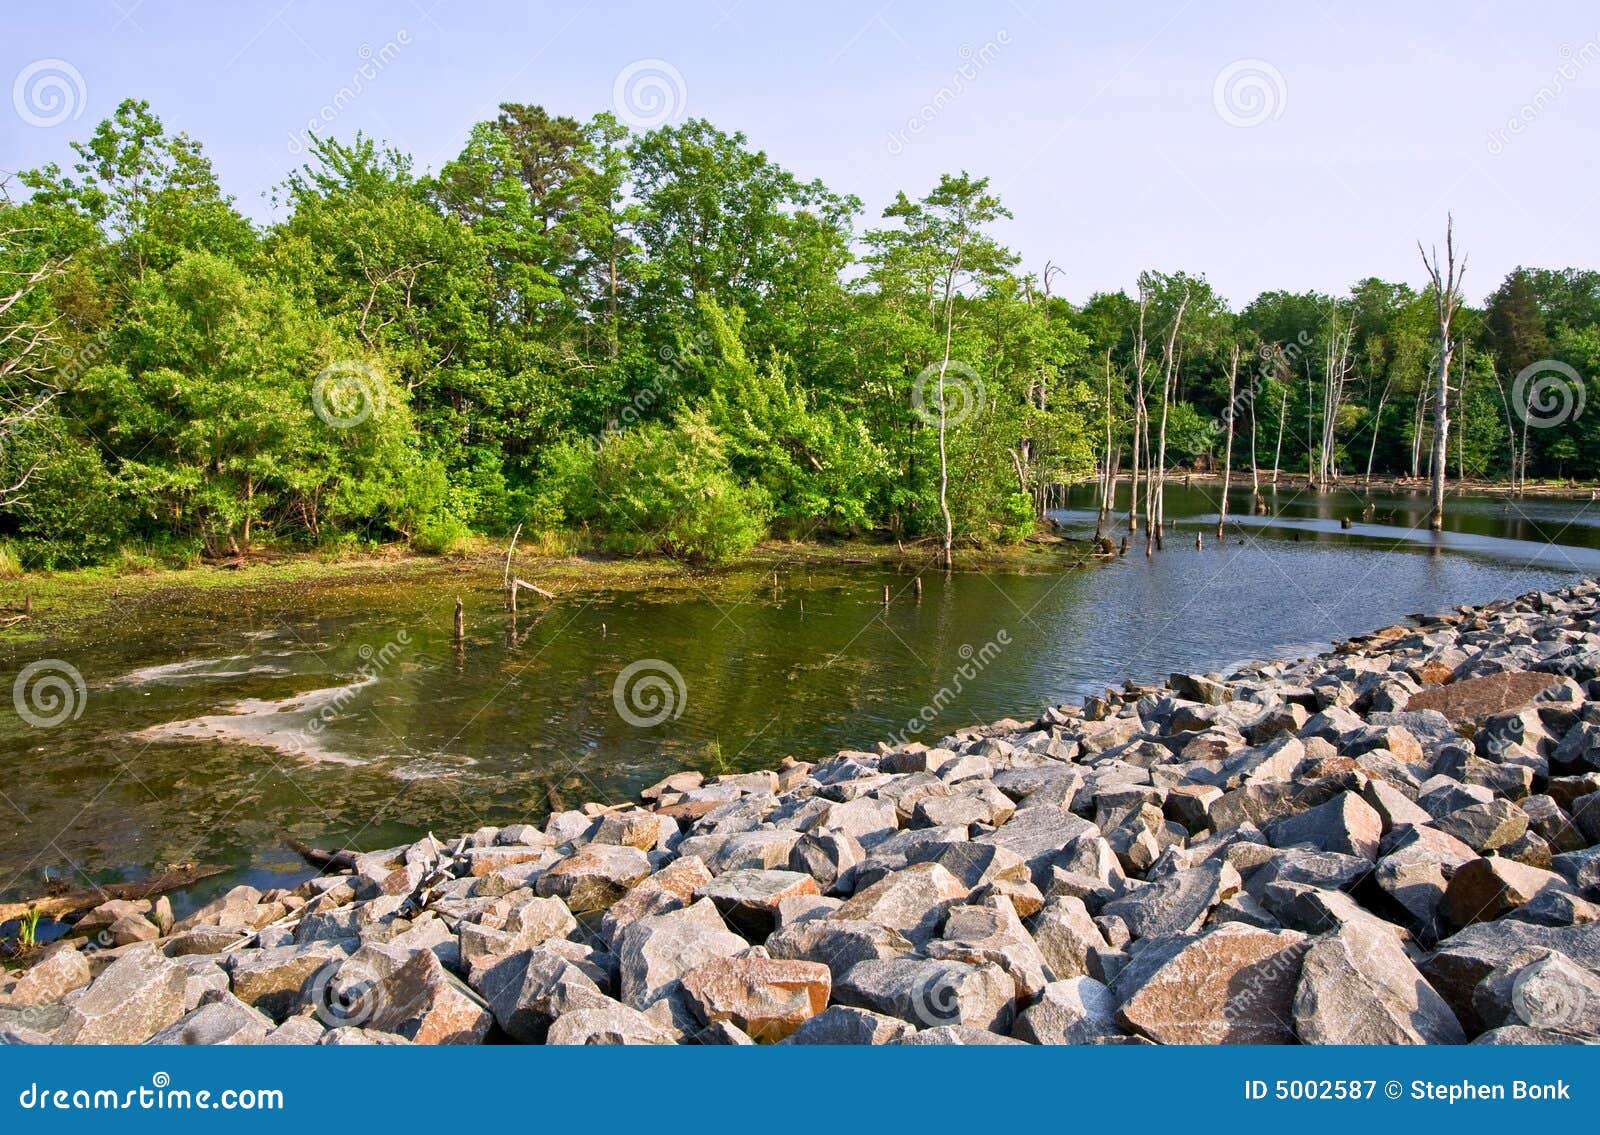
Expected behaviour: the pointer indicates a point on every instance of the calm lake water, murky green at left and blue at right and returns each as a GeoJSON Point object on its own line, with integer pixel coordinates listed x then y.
{"type": "Point", "coordinates": [348, 718]}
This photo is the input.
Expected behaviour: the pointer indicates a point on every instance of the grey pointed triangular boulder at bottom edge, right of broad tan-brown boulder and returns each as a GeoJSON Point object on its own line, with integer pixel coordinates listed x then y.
{"type": "Point", "coordinates": [1359, 987]}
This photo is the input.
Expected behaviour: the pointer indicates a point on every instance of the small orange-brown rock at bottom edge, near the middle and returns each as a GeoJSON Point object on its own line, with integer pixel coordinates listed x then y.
{"type": "Point", "coordinates": [767, 998]}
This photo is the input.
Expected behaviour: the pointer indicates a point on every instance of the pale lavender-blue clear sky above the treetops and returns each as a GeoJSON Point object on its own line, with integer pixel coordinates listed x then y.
{"type": "Point", "coordinates": [1265, 145]}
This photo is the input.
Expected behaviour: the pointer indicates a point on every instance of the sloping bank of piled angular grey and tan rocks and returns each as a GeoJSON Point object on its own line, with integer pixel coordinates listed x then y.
{"type": "Point", "coordinates": [1394, 843]}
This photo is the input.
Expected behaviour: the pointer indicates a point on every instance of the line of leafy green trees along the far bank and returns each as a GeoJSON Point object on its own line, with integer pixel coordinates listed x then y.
{"type": "Point", "coordinates": [668, 343]}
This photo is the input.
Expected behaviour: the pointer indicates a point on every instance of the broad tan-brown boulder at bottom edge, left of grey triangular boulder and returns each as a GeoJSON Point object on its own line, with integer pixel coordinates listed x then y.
{"type": "Point", "coordinates": [1231, 985]}
